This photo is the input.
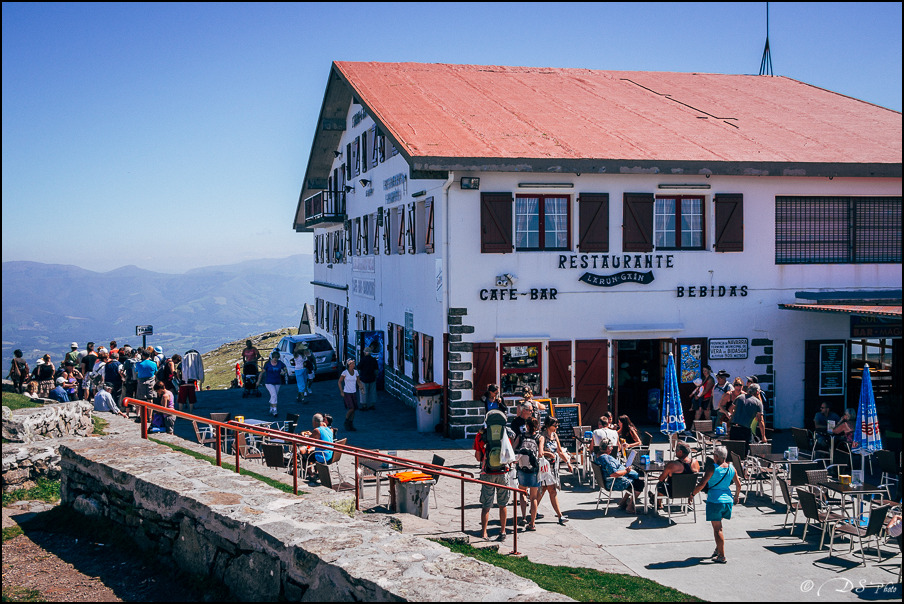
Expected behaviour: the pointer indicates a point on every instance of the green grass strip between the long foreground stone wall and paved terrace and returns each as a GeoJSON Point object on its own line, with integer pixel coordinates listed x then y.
{"type": "Point", "coordinates": [581, 584]}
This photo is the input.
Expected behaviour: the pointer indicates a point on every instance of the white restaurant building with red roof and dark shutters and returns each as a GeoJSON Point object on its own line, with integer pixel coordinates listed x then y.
{"type": "Point", "coordinates": [568, 228]}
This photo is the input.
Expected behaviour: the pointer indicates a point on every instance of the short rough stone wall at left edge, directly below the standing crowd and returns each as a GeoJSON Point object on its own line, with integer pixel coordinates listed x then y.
{"type": "Point", "coordinates": [50, 421]}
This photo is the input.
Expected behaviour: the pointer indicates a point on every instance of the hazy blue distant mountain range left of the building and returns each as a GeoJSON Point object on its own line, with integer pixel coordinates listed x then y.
{"type": "Point", "coordinates": [48, 306]}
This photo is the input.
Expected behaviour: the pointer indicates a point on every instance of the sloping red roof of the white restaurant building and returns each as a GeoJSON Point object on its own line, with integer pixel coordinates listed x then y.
{"type": "Point", "coordinates": [472, 111]}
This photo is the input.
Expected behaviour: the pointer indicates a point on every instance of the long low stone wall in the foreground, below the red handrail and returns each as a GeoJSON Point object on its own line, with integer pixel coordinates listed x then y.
{"type": "Point", "coordinates": [261, 543]}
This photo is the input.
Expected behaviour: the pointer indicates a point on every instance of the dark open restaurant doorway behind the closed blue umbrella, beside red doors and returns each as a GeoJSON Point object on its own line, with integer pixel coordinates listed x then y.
{"type": "Point", "coordinates": [637, 378]}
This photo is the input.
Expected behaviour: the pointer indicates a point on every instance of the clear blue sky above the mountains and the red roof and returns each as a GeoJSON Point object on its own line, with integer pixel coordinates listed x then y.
{"type": "Point", "coordinates": [172, 136]}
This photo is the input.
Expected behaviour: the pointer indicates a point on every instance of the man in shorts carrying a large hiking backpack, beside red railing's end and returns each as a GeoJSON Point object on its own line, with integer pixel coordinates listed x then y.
{"type": "Point", "coordinates": [488, 447]}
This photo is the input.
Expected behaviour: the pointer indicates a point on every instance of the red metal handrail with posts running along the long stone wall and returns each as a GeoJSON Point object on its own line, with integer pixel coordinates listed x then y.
{"type": "Point", "coordinates": [297, 439]}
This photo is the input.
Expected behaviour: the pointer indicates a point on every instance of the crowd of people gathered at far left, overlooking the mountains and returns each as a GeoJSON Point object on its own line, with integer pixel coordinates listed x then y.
{"type": "Point", "coordinates": [104, 375]}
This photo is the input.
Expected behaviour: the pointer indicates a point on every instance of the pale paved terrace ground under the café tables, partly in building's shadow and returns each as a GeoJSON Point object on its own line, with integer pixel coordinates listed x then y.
{"type": "Point", "coordinates": [765, 563]}
